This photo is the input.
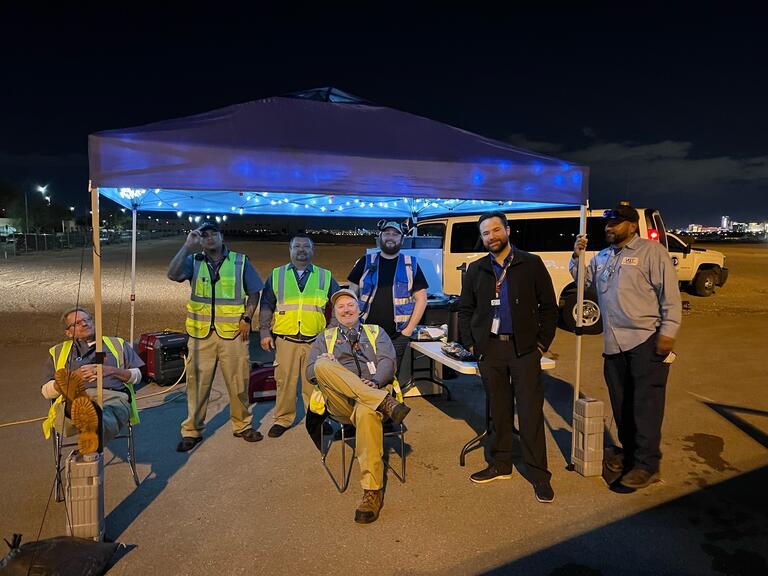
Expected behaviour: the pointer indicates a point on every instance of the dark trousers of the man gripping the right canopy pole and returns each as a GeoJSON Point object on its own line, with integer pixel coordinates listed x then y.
{"type": "Point", "coordinates": [637, 382]}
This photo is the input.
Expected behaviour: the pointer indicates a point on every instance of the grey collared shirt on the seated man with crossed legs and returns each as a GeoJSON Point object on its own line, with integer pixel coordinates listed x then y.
{"type": "Point", "coordinates": [383, 359]}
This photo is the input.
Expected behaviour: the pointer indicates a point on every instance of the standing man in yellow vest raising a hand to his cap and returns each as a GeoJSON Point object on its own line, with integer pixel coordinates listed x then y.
{"type": "Point", "coordinates": [225, 294]}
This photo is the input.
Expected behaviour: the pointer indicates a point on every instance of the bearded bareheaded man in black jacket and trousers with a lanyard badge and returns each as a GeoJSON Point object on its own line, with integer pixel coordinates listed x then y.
{"type": "Point", "coordinates": [508, 318]}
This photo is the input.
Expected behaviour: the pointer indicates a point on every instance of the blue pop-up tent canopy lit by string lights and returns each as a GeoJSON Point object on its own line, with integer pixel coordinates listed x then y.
{"type": "Point", "coordinates": [322, 153]}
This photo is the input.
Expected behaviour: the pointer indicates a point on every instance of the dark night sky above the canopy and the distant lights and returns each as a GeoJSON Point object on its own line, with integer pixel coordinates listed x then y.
{"type": "Point", "coordinates": [667, 113]}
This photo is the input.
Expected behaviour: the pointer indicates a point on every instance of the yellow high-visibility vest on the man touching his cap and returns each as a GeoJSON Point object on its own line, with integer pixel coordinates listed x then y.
{"type": "Point", "coordinates": [227, 296]}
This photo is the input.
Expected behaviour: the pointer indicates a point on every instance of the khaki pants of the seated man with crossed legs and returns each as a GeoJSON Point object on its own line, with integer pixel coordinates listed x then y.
{"type": "Point", "coordinates": [350, 401]}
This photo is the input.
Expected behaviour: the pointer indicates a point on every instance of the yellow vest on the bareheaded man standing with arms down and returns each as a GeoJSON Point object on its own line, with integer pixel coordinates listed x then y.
{"type": "Point", "coordinates": [300, 312]}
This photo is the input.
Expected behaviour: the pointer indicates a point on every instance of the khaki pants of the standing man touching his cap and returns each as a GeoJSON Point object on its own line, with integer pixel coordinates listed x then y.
{"type": "Point", "coordinates": [205, 354]}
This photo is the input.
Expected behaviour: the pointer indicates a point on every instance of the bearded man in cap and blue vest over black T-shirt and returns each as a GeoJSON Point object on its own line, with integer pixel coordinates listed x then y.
{"type": "Point", "coordinates": [392, 288]}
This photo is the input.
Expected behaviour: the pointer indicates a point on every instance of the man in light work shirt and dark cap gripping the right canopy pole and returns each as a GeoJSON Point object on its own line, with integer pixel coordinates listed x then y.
{"type": "Point", "coordinates": [639, 298]}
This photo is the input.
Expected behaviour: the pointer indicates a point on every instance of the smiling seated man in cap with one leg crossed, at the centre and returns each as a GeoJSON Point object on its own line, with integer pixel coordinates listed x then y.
{"type": "Point", "coordinates": [353, 365]}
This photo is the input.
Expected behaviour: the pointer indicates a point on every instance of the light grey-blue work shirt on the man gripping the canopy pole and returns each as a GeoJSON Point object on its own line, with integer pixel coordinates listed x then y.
{"type": "Point", "coordinates": [638, 293]}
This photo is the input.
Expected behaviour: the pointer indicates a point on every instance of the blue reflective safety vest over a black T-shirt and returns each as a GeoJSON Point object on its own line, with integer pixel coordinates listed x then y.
{"type": "Point", "coordinates": [402, 297]}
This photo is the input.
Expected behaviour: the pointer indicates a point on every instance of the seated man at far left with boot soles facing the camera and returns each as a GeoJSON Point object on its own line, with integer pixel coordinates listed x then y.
{"type": "Point", "coordinates": [70, 380]}
